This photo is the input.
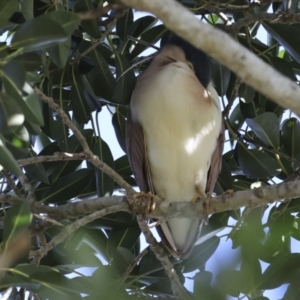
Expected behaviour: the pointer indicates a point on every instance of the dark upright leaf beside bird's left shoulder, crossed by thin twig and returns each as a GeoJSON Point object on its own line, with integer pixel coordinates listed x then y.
{"type": "Point", "coordinates": [125, 80]}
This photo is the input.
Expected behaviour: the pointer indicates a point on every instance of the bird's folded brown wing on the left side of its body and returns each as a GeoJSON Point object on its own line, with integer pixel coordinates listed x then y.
{"type": "Point", "coordinates": [136, 151]}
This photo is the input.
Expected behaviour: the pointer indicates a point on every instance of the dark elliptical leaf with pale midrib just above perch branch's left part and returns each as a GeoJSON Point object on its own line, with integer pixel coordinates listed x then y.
{"type": "Point", "coordinates": [68, 187]}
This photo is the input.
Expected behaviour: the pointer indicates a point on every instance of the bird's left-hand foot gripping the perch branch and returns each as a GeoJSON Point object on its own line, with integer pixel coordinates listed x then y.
{"type": "Point", "coordinates": [143, 203]}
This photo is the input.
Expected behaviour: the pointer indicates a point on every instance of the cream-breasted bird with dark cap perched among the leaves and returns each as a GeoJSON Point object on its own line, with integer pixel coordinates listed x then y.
{"type": "Point", "coordinates": [175, 135]}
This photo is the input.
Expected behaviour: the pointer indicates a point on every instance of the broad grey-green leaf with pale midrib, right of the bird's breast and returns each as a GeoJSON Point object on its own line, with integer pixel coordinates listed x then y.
{"type": "Point", "coordinates": [266, 127]}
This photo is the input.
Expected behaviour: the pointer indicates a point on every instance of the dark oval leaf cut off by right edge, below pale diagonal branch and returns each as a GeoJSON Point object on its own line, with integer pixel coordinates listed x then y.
{"type": "Point", "coordinates": [290, 134]}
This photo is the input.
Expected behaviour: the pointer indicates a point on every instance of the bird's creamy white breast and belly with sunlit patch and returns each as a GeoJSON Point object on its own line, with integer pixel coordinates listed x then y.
{"type": "Point", "coordinates": [181, 122]}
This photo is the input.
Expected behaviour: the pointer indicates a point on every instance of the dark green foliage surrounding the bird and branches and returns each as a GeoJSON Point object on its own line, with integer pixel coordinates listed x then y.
{"type": "Point", "coordinates": [54, 49]}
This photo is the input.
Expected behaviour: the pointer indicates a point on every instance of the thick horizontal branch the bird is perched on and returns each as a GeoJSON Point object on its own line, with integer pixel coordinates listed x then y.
{"type": "Point", "coordinates": [166, 209]}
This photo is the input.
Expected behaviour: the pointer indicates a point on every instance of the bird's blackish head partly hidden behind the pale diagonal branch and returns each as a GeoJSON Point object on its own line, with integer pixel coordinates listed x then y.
{"type": "Point", "coordinates": [198, 59]}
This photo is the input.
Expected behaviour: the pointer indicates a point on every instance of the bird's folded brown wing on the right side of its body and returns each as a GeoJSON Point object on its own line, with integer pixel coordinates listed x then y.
{"type": "Point", "coordinates": [215, 163]}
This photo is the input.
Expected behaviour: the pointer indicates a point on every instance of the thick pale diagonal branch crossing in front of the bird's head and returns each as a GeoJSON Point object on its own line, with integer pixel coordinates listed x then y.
{"type": "Point", "coordinates": [222, 47]}
